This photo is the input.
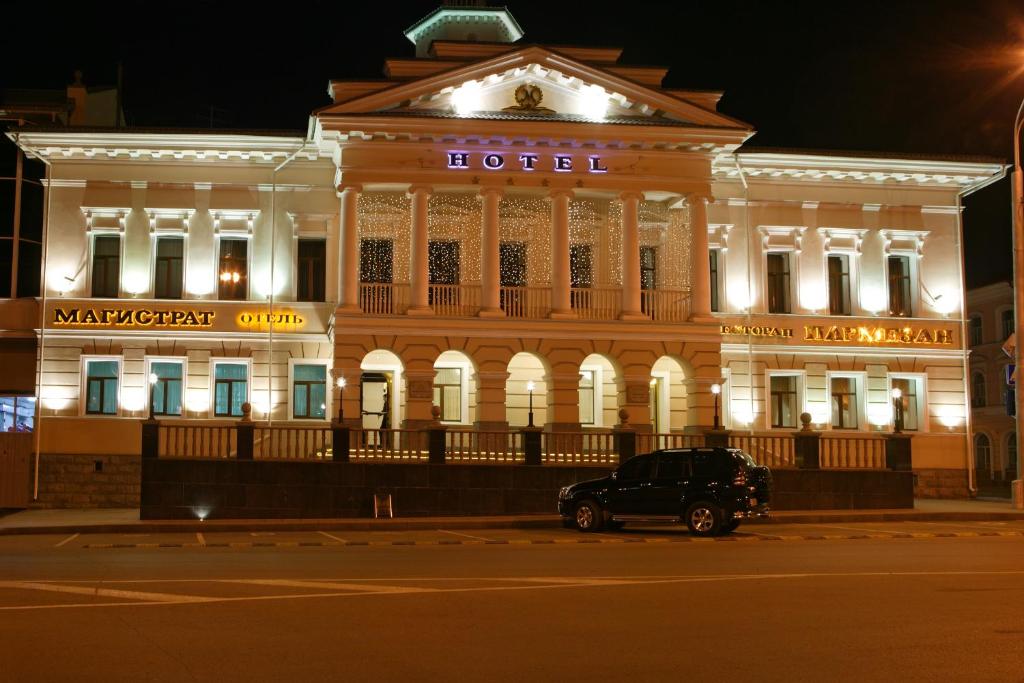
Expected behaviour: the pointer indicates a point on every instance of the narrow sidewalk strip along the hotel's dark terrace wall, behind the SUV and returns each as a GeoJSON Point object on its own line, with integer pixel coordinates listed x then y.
{"type": "Point", "coordinates": [127, 522]}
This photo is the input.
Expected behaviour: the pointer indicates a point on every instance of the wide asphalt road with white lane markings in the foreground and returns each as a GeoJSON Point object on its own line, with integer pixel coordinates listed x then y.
{"type": "Point", "coordinates": [912, 602]}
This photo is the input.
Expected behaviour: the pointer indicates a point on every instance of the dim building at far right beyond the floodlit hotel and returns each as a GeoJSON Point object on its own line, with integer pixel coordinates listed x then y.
{"type": "Point", "coordinates": [990, 324]}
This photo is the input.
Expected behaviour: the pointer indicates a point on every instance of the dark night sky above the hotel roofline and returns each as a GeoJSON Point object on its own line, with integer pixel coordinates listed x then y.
{"type": "Point", "coordinates": [936, 76]}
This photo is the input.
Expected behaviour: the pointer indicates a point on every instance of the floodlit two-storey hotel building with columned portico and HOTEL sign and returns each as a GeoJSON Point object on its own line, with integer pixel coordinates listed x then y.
{"type": "Point", "coordinates": [510, 235]}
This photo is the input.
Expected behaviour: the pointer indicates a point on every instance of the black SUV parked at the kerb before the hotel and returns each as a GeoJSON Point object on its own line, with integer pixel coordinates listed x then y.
{"type": "Point", "coordinates": [711, 490]}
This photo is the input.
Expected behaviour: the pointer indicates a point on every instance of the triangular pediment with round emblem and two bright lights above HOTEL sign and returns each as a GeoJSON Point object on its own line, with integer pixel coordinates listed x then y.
{"type": "Point", "coordinates": [531, 83]}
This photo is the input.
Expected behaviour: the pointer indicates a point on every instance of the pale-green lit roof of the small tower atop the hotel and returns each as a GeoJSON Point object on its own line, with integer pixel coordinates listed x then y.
{"type": "Point", "coordinates": [470, 21]}
